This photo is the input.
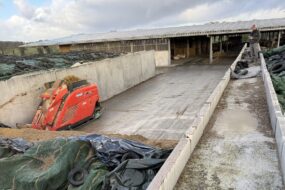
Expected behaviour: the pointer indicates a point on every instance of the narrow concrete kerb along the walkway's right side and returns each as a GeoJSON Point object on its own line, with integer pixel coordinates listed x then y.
{"type": "Point", "coordinates": [277, 119]}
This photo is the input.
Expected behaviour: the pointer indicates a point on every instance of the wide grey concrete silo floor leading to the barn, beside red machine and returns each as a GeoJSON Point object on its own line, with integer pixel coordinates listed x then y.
{"type": "Point", "coordinates": [163, 107]}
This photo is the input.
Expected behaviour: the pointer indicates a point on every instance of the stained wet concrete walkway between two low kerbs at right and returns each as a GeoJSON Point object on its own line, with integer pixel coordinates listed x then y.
{"type": "Point", "coordinates": [238, 148]}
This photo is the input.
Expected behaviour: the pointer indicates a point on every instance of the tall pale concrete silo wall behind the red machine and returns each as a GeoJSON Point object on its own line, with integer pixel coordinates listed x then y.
{"type": "Point", "coordinates": [20, 95]}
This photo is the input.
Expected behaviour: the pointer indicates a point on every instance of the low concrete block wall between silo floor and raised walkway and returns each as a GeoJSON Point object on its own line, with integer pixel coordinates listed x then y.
{"type": "Point", "coordinates": [169, 173]}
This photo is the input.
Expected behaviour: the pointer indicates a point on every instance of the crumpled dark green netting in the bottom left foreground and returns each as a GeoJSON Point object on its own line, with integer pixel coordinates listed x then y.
{"type": "Point", "coordinates": [46, 166]}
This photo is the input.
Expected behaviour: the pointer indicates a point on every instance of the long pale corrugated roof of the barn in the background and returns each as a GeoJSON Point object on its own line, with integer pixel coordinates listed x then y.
{"type": "Point", "coordinates": [213, 28]}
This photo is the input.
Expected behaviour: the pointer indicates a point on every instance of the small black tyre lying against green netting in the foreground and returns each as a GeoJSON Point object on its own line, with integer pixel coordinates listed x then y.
{"type": "Point", "coordinates": [72, 176]}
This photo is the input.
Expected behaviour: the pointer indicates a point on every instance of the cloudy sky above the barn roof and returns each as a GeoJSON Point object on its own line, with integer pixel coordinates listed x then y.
{"type": "Point", "coordinates": [31, 20]}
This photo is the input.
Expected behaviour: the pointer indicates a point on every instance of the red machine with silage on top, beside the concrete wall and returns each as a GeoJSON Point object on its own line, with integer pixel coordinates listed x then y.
{"type": "Point", "coordinates": [67, 106]}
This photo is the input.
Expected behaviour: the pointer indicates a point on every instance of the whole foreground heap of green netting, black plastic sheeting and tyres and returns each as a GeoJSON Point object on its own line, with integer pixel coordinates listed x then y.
{"type": "Point", "coordinates": [78, 163]}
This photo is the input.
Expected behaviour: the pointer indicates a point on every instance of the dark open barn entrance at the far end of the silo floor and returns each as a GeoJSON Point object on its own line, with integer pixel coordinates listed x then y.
{"type": "Point", "coordinates": [184, 49]}
